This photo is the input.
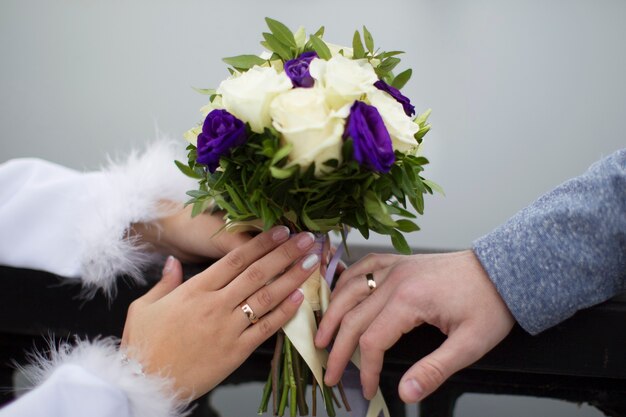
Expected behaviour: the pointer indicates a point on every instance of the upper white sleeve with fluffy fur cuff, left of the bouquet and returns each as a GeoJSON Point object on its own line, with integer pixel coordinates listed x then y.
{"type": "Point", "coordinates": [75, 224]}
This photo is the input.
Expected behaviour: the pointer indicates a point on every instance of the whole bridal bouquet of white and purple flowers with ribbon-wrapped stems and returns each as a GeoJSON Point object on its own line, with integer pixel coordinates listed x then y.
{"type": "Point", "coordinates": [317, 137]}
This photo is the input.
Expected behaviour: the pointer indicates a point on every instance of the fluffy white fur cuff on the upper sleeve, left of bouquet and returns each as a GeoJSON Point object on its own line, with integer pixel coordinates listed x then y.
{"type": "Point", "coordinates": [127, 193]}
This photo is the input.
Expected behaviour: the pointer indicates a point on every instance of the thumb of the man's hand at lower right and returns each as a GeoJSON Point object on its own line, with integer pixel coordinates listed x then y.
{"type": "Point", "coordinates": [431, 371]}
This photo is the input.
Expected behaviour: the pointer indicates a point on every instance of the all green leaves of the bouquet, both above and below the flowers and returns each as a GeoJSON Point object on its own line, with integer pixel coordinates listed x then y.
{"type": "Point", "coordinates": [257, 181]}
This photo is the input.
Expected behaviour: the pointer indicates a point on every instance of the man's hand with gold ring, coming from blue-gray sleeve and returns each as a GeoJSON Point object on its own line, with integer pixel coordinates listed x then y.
{"type": "Point", "coordinates": [449, 291]}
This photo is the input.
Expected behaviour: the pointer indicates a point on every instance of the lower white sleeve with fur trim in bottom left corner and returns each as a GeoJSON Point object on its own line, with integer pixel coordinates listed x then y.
{"type": "Point", "coordinates": [90, 379]}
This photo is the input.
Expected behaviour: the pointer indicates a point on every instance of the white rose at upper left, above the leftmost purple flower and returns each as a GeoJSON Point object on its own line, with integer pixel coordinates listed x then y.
{"type": "Point", "coordinates": [248, 96]}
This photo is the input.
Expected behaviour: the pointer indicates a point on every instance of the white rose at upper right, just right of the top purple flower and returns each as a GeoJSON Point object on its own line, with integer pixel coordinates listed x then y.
{"type": "Point", "coordinates": [344, 80]}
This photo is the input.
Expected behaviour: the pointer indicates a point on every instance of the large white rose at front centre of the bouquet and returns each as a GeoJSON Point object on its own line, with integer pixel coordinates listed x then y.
{"type": "Point", "coordinates": [304, 120]}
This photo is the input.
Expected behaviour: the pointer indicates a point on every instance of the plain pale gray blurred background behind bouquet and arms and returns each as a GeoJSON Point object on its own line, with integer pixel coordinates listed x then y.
{"type": "Point", "coordinates": [525, 94]}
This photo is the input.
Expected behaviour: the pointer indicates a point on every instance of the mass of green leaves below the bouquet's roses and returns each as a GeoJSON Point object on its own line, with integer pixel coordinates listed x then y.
{"type": "Point", "coordinates": [252, 184]}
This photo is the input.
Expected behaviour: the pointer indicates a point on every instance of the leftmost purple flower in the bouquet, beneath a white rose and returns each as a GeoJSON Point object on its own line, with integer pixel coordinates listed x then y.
{"type": "Point", "coordinates": [221, 132]}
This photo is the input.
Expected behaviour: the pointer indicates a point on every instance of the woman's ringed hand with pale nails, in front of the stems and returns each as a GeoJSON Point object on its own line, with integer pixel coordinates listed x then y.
{"type": "Point", "coordinates": [196, 332]}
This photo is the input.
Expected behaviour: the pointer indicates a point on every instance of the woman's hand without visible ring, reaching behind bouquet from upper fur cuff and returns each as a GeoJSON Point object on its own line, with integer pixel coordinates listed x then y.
{"type": "Point", "coordinates": [190, 239]}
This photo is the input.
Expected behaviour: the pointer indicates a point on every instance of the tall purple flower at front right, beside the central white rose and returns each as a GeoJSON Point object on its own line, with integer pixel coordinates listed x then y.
{"type": "Point", "coordinates": [371, 140]}
